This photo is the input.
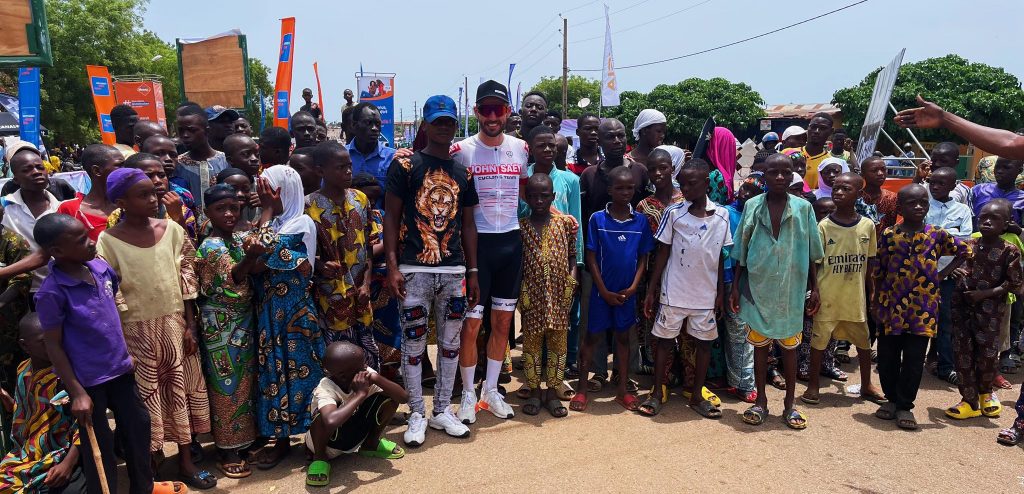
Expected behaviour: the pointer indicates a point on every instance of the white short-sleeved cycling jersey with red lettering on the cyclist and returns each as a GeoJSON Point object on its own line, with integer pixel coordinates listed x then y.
{"type": "Point", "coordinates": [497, 174]}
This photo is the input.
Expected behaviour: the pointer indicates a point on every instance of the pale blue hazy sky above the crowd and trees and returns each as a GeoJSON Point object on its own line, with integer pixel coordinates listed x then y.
{"type": "Point", "coordinates": [434, 46]}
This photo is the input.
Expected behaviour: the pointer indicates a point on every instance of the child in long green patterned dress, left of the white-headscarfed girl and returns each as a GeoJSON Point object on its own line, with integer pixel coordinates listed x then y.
{"type": "Point", "coordinates": [224, 263]}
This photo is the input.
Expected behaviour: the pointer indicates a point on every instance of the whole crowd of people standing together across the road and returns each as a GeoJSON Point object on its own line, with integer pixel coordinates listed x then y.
{"type": "Point", "coordinates": [257, 292]}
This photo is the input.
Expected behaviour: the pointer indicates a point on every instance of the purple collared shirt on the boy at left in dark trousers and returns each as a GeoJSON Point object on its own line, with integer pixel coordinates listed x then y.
{"type": "Point", "coordinates": [88, 315]}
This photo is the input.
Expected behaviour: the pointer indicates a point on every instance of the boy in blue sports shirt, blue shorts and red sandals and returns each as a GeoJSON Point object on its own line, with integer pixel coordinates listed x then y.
{"type": "Point", "coordinates": [619, 242]}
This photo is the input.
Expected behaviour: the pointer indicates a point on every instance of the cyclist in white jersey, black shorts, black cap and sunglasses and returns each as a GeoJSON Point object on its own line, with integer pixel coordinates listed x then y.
{"type": "Point", "coordinates": [498, 164]}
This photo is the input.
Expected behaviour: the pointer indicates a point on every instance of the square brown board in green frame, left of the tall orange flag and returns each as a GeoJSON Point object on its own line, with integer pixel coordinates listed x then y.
{"type": "Point", "coordinates": [214, 72]}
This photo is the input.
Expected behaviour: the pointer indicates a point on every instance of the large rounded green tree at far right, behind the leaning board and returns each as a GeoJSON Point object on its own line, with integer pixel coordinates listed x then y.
{"type": "Point", "coordinates": [978, 93]}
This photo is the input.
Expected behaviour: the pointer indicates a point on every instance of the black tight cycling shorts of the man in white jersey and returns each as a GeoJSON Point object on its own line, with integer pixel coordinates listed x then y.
{"type": "Point", "coordinates": [499, 257]}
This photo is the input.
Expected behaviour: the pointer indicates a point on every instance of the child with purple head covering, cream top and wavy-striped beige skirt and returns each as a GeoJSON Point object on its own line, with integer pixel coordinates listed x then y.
{"type": "Point", "coordinates": [158, 315]}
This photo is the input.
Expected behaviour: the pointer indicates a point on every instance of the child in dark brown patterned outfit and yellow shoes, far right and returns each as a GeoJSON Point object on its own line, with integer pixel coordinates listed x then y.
{"type": "Point", "coordinates": [978, 310]}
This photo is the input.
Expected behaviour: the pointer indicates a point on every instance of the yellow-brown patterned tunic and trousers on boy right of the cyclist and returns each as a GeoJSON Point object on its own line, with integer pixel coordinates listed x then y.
{"type": "Point", "coordinates": [549, 257]}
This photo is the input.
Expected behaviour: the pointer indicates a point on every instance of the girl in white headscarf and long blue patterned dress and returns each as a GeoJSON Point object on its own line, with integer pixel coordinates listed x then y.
{"type": "Point", "coordinates": [289, 343]}
